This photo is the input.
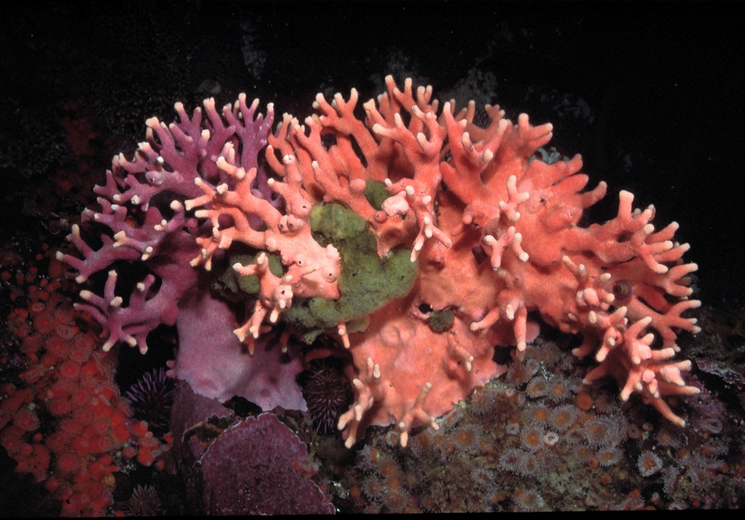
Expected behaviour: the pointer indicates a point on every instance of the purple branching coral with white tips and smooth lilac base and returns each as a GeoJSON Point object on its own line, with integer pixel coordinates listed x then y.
{"type": "Point", "coordinates": [141, 205]}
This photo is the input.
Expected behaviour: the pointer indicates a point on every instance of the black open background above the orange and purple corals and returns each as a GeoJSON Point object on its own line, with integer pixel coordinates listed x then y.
{"type": "Point", "coordinates": [649, 94]}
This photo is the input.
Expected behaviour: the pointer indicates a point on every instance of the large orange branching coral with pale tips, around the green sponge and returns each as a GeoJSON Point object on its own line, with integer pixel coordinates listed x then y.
{"type": "Point", "coordinates": [458, 194]}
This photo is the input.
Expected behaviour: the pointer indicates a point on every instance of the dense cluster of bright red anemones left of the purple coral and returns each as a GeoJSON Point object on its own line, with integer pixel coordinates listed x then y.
{"type": "Point", "coordinates": [63, 419]}
